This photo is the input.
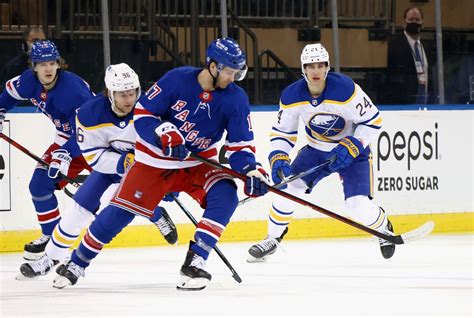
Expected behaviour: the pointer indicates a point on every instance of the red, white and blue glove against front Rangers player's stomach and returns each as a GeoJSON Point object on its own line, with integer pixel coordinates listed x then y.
{"type": "Point", "coordinates": [172, 142]}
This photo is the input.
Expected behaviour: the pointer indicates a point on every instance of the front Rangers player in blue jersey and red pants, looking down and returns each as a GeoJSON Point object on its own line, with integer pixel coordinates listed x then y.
{"type": "Point", "coordinates": [188, 109]}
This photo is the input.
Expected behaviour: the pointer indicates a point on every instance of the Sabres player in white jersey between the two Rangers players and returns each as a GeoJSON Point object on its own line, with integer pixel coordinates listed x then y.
{"type": "Point", "coordinates": [106, 136]}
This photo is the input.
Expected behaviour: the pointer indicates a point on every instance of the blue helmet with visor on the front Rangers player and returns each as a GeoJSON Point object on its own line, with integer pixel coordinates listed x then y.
{"type": "Point", "coordinates": [227, 52]}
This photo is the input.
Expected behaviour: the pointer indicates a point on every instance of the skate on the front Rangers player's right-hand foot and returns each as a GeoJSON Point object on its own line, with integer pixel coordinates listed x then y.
{"type": "Point", "coordinates": [193, 275]}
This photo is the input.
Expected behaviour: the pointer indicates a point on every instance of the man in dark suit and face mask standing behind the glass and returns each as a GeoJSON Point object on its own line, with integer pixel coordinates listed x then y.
{"type": "Point", "coordinates": [407, 63]}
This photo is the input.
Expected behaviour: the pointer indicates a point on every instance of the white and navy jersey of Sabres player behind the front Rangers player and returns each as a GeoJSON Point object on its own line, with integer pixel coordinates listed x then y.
{"type": "Point", "coordinates": [102, 135]}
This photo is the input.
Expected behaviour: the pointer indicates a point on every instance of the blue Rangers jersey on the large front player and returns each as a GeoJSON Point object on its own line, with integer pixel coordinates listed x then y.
{"type": "Point", "coordinates": [202, 118]}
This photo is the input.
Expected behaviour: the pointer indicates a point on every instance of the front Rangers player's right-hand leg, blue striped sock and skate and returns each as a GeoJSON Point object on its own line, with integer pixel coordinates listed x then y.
{"type": "Point", "coordinates": [220, 203]}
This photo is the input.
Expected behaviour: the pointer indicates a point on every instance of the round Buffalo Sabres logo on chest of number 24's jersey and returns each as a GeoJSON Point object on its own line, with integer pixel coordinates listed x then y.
{"type": "Point", "coordinates": [321, 126]}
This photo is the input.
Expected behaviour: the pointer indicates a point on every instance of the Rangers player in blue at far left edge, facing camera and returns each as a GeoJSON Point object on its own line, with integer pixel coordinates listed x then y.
{"type": "Point", "coordinates": [57, 93]}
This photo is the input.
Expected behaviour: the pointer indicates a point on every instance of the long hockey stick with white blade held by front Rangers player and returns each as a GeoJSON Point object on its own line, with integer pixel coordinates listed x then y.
{"type": "Point", "coordinates": [415, 234]}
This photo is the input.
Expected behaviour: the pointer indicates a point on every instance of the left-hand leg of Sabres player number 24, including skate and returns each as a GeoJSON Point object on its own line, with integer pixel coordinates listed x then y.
{"type": "Point", "coordinates": [281, 211]}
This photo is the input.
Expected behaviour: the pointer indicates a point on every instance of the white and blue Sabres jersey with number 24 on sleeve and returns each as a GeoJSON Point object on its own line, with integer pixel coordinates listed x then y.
{"type": "Point", "coordinates": [343, 109]}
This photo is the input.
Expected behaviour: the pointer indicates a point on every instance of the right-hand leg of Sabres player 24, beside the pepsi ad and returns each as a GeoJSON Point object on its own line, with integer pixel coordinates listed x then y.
{"type": "Point", "coordinates": [358, 190]}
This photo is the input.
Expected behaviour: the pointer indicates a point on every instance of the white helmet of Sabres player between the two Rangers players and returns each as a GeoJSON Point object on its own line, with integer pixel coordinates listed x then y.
{"type": "Point", "coordinates": [120, 78]}
